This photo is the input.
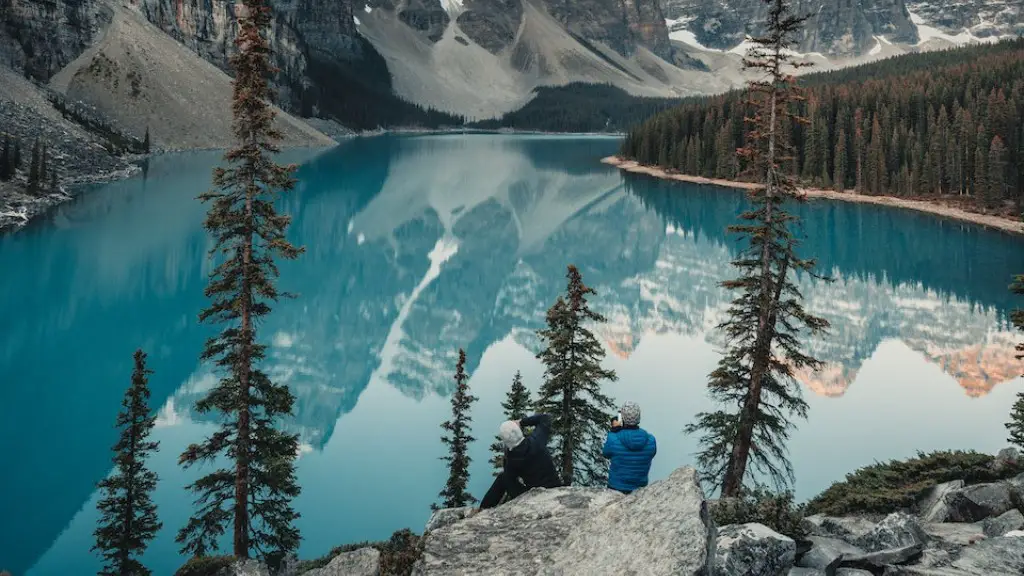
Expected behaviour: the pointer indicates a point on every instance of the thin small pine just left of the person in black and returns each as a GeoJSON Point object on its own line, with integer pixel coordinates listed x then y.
{"type": "Point", "coordinates": [457, 438]}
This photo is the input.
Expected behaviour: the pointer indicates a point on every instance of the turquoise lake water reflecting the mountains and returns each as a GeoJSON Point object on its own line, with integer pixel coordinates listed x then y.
{"type": "Point", "coordinates": [417, 246]}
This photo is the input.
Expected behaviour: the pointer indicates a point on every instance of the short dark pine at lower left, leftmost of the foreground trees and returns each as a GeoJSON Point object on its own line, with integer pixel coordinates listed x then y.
{"type": "Point", "coordinates": [127, 515]}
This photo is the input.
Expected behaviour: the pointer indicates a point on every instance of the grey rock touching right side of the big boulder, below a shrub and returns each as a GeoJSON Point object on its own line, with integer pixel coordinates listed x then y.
{"type": "Point", "coordinates": [753, 549]}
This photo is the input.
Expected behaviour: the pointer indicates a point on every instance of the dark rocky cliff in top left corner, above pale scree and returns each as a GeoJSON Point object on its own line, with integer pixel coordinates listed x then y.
{"type": "Point", "coordinates": [42, 38]}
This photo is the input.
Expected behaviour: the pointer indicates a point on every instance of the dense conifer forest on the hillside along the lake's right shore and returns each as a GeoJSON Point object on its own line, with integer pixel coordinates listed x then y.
{"type": "Point", "coordinates": [940, 124]}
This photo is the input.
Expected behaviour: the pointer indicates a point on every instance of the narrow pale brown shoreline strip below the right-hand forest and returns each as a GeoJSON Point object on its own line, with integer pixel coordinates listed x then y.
{"type": "Point", "coordinates": [987, 221]}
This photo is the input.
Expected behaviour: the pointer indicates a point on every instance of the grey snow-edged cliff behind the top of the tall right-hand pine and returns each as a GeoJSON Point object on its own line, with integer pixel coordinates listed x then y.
{"type": "Point", "coordinates": [836, 28]}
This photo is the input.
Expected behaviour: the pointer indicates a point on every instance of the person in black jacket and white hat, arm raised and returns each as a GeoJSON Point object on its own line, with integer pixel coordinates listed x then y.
{"type": "Point", "coordinates": [528, 463]}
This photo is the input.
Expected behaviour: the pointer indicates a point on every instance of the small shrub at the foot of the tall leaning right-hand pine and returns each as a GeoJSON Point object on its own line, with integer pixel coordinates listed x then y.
{"type": "Point", "coordinates": [775, 511]}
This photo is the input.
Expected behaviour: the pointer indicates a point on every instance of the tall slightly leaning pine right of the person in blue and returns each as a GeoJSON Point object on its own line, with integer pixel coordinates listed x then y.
{"type": "Point", "coordinates": [763, 325]}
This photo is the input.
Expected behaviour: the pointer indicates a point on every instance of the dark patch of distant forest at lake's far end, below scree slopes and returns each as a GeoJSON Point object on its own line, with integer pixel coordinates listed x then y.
{"type": "Point", "coordinates": [581, 108]}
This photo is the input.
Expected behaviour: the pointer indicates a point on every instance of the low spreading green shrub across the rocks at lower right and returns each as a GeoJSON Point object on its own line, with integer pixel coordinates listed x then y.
{"type": "Point", "coordinates": [900, 485]}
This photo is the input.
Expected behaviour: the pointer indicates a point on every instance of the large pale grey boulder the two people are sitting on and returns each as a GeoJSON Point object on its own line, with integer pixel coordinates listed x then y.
{"type": "Point", "coordinates": [661, 529]}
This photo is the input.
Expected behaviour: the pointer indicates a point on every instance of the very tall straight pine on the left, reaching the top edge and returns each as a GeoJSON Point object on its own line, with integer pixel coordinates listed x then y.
{"type": "Point", "coordinates": [253, 496]}
